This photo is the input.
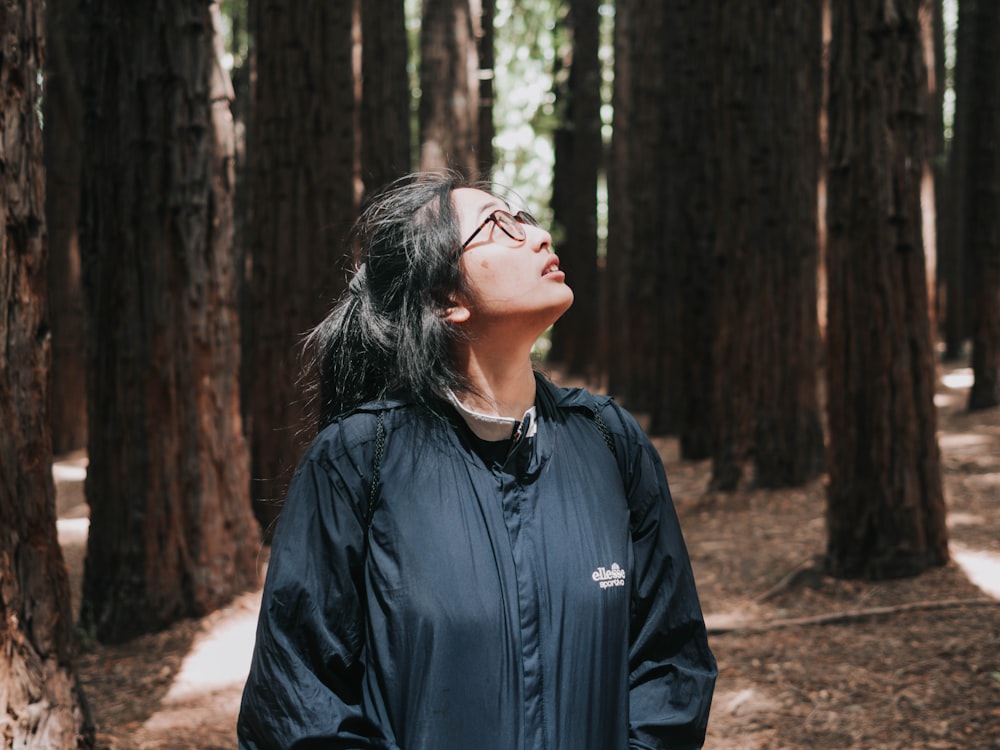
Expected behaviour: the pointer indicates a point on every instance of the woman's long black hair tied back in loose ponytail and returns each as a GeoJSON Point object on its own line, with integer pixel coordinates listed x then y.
{"type": "Point", "coordinates": [387, 333]}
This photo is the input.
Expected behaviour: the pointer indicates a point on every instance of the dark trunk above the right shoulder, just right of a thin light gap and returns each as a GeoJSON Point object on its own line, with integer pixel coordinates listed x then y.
{"type": "Point", "coordinates": [643, 364]}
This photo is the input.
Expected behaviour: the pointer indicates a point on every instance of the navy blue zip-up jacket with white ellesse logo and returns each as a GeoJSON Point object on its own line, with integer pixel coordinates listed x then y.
{"type": "Point", "coordinates": [545, 603]}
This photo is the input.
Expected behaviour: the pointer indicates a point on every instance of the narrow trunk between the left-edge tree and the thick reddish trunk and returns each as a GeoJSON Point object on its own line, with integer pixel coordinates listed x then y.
{"type": "Point", "coordinates": [63, 108]}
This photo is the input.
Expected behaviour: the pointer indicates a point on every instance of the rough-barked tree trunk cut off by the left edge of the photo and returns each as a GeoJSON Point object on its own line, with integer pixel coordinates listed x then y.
{"type": "Point", "coordinates": [40, 703]}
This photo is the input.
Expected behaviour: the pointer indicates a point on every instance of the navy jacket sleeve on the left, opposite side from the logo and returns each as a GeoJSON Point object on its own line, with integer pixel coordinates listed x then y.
{"type": "Point", "coordinates": [304, 689]}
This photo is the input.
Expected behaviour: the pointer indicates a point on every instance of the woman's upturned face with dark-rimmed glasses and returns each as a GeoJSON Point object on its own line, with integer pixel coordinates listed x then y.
{"type": "Point", "coordinates": [513, 283]}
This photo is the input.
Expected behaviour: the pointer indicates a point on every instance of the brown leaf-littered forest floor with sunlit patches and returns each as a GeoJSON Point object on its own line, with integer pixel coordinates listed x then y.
{"type": "Point", "coordinates": [805, 661]}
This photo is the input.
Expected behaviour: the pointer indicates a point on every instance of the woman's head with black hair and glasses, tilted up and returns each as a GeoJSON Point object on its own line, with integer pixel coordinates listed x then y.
{"type": "Point", "coordinates": [417, 292]}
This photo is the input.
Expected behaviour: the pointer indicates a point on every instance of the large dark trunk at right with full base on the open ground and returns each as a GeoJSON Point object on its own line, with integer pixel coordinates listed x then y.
{"type": "Point", "coordinates": [885, 504]}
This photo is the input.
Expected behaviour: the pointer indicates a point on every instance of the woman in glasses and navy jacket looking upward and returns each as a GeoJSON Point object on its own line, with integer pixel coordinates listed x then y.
{"type": "Point", "coordinates": [469, 556]}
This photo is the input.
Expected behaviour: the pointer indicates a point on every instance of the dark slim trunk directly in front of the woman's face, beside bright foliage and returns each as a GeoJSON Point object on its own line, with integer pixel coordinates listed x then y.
{"type": "Point", "coordinates": [578, 149]}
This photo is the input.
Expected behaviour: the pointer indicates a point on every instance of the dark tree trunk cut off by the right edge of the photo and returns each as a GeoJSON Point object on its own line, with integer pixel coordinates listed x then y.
{"type": "Point", "coordinates": [982, 208]}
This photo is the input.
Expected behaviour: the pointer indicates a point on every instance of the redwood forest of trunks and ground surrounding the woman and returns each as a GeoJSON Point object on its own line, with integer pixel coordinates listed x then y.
{"type": "Point", "coordinates": [781, 222]}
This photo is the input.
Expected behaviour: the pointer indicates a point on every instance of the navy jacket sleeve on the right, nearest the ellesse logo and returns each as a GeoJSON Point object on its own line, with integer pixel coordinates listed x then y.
{"type": "Point", "coordinates": [672, 671]}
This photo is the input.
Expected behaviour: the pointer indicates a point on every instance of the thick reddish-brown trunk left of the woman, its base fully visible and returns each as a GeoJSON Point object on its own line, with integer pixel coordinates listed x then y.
{"type": "Point", "coordinates": [172, 532]}
